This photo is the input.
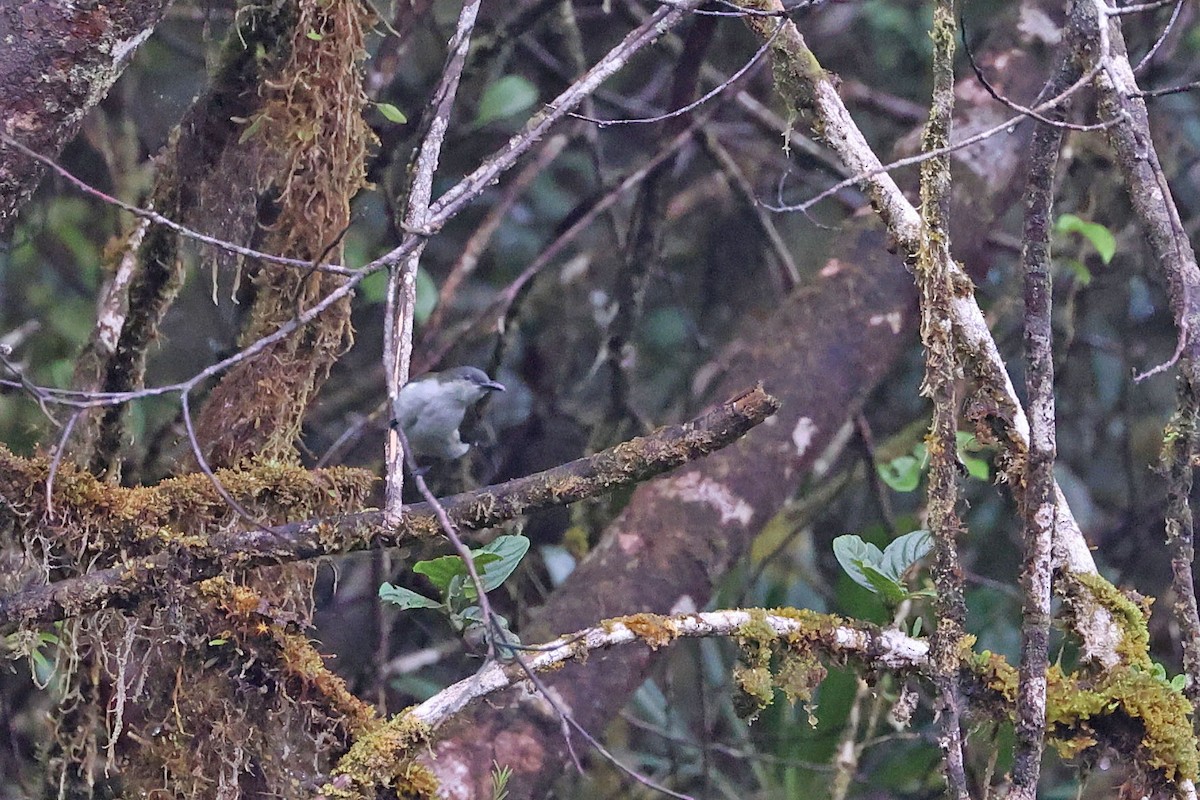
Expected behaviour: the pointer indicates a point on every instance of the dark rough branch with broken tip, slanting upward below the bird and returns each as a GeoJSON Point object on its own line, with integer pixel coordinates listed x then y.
{"type": "Point", "coordinates": [631, 462]}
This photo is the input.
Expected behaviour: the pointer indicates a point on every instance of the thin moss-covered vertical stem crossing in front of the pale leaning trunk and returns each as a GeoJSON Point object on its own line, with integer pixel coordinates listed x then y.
{"type": "Point", "coordinates": [943, 371]}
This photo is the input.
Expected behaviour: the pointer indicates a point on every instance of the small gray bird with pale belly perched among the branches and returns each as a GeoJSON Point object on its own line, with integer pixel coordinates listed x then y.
{"type": "Point", "coordinates": [430, 411]}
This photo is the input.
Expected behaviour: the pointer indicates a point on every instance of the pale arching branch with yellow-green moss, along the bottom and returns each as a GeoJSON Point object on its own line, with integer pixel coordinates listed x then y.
{"type": "Point", "coordinates": [1084, 713]}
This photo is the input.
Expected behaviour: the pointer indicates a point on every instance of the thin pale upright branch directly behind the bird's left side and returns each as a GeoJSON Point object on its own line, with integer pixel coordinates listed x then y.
{"type": "Point", "coordinates": [398, 352]}
